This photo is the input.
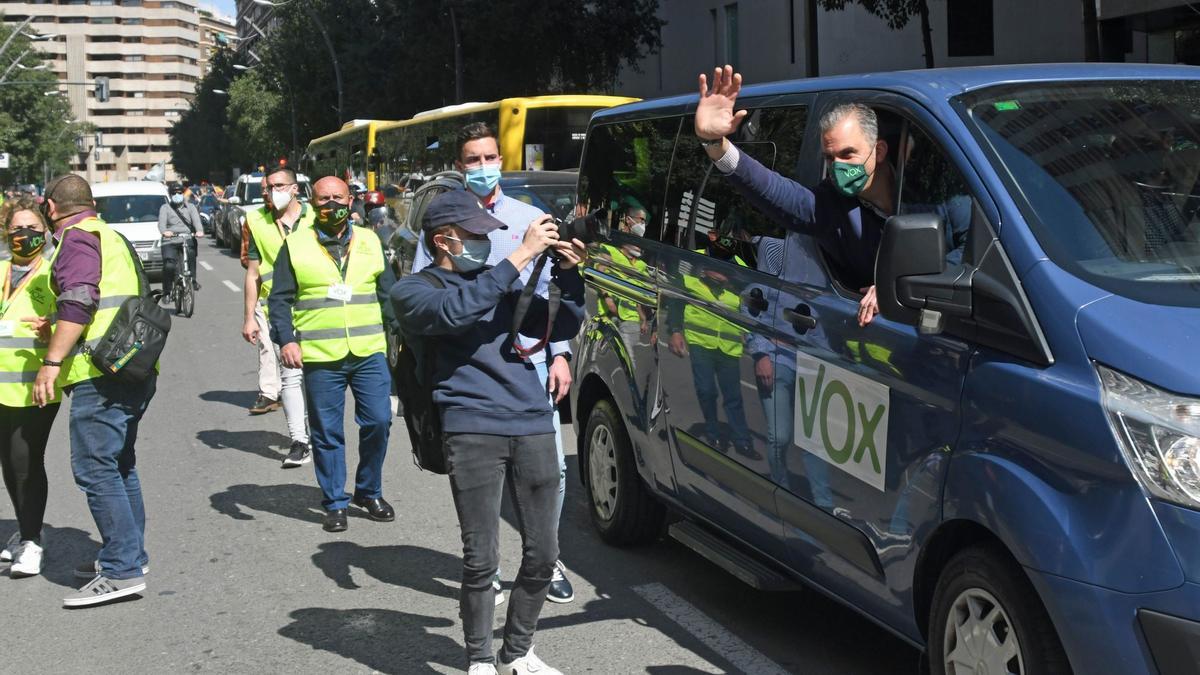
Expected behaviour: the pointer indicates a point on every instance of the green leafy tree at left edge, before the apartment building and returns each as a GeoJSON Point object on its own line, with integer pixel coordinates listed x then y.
{"type": "Point", "coordinates": [38, 132]}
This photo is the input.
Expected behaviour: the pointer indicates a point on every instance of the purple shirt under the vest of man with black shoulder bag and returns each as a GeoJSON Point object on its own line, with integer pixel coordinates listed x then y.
{"type": "Point", "coordinates": [76, 272]}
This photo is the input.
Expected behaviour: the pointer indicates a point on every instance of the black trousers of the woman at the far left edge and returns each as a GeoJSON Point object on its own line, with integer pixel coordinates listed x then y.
{"type": "Point", "coordinates": [23, 437]}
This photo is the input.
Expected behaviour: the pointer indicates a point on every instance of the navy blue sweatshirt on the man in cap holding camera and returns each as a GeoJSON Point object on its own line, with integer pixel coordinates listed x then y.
{"type": "Point", "coordinates": [479, 384]}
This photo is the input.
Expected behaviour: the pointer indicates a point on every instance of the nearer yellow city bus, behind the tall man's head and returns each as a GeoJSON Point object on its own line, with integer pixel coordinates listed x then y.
{"type": "Point", "coordinates": [536, 134]}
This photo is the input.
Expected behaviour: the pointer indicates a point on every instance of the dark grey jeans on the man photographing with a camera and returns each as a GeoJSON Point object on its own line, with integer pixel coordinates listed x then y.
{"type": "Point", "coordinates": [481, 468]}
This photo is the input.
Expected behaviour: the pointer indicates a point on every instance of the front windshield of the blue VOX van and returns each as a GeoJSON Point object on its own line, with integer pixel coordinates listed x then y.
{"type": "Point", "coordinates": [1108, 176]}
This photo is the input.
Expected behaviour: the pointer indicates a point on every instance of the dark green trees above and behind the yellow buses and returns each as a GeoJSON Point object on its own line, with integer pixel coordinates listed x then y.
{"type": "Point", "coordinates": [398, 58]}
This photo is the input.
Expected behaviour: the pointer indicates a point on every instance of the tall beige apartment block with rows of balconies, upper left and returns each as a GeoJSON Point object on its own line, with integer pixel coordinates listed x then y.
{"type": "Point", "coordinates": [149, 50]}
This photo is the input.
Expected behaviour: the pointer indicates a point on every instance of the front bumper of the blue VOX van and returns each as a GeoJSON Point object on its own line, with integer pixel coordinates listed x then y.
{"type": "Point", "coordinates": [1106, 631]}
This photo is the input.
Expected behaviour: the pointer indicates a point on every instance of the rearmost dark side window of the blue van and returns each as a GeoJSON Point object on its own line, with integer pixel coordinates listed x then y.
{"type": "Point", "coordinates": [626, 172]}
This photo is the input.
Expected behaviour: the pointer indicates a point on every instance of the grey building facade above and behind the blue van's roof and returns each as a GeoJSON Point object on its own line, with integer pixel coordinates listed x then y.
{"type": "Point", "coordinates": [771, 40]}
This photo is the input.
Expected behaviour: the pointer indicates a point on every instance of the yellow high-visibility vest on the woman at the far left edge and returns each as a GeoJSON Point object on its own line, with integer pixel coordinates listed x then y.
{"type": "Point", "coordinates": [21, 354]}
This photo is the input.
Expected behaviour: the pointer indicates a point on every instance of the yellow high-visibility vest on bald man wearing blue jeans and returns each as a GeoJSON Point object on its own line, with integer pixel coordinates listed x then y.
{"type": "Point", "coordinates": [329, 328]}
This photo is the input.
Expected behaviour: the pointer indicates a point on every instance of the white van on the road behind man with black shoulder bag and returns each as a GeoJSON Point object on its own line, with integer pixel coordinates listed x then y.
{"type": "Point", "coordinates": [131, 207]}
